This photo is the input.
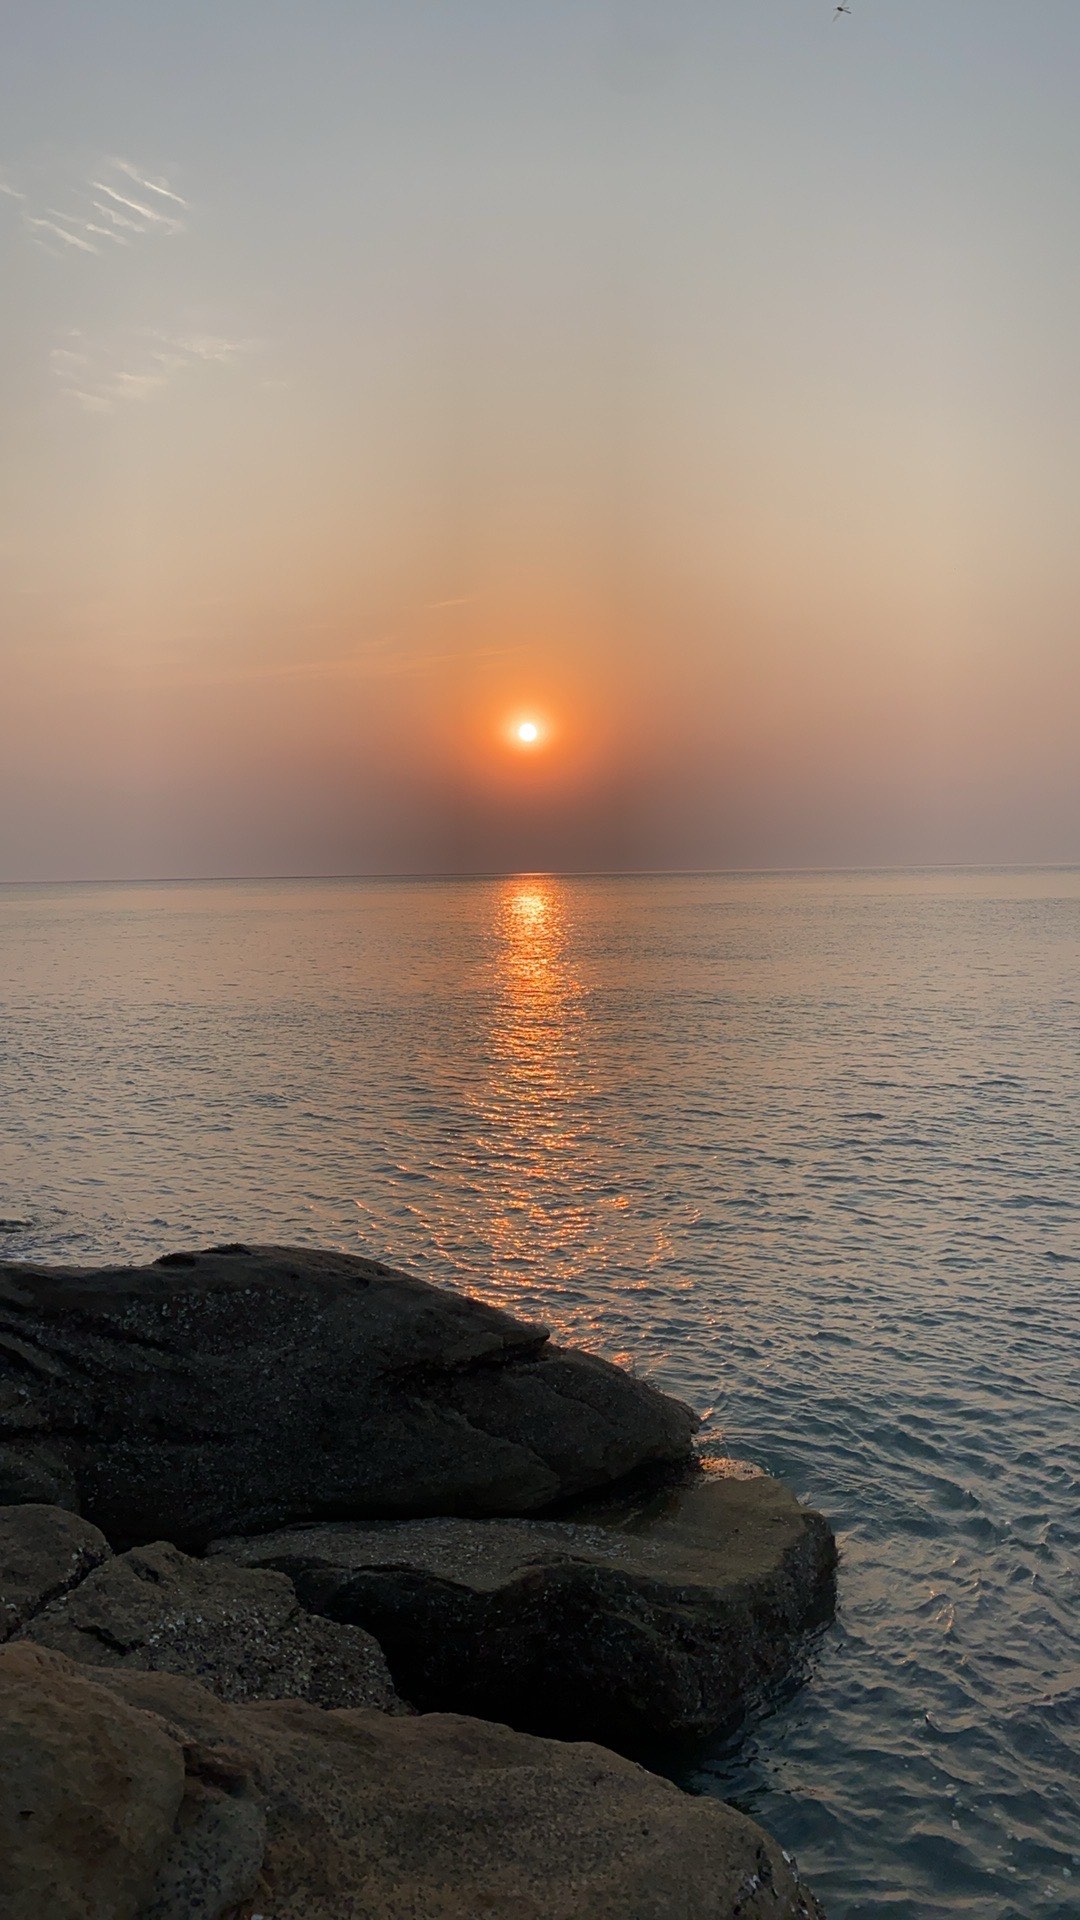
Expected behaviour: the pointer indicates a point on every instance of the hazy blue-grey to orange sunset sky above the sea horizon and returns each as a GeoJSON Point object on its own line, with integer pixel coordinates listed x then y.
{"type": "Point", "coordinates": [699, 381]}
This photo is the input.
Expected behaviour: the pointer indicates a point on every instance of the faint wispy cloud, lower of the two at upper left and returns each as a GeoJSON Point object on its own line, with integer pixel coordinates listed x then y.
{"type": "Point", "coordinates": [135, 364]}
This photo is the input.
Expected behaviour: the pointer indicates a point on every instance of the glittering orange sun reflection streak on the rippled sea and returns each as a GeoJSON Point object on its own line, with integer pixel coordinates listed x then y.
{"type": "Point", "coordinates": [533, 1195]}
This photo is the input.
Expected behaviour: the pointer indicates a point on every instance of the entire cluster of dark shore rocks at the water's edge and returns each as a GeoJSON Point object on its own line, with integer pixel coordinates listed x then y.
{"type": "Point", "coordinates": [326, 1593]}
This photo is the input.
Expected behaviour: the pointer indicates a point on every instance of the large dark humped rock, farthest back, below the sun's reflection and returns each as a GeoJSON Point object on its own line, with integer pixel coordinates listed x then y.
{"type": "Point", "coordinates": [243, 1389]}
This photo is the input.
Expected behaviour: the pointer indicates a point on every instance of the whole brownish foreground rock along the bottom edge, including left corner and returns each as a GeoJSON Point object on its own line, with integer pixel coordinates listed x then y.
{"type": "Point", "coordinates": [132, 1796]}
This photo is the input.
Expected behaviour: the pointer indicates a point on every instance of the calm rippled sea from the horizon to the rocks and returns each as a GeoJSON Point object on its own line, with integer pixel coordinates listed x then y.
{"type": "Point", "coordinates": [802, 1149]}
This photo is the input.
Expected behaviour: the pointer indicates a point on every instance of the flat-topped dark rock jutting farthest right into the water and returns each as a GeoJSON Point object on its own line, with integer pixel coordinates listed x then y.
{"type": "Point", "coordinates": [662, 1625]}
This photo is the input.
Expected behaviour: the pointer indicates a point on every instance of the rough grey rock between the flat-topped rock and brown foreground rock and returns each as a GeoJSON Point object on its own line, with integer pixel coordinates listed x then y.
{"type": "Point", "coordinates": [237, 1631]}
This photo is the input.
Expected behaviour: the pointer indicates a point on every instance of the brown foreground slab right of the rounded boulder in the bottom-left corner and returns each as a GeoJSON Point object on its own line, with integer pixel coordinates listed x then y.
{"type": "Point", "coordinates": [453, 1819]}
